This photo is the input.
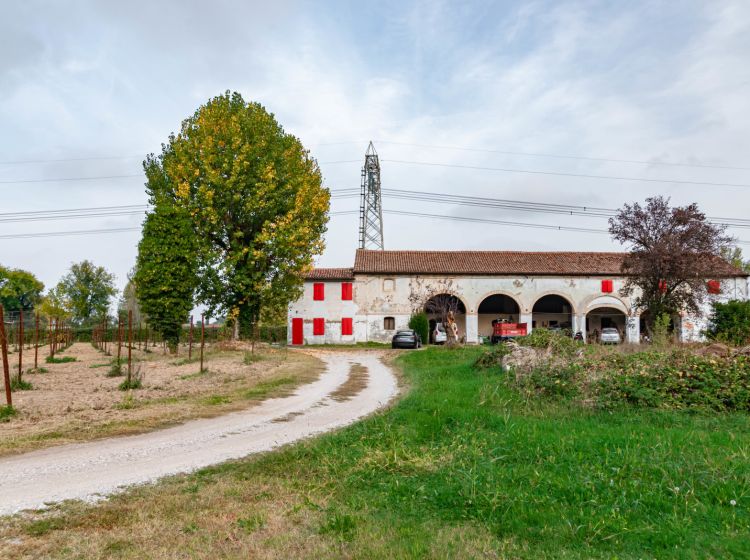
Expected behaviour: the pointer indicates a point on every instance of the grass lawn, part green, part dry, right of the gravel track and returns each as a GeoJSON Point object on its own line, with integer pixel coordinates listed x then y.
{"type": "Point", "coordinates": [461, 467]}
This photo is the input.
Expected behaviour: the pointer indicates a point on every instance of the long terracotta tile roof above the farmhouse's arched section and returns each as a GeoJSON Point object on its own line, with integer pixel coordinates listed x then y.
{"type": "Point", "coordinates": [498, 263]}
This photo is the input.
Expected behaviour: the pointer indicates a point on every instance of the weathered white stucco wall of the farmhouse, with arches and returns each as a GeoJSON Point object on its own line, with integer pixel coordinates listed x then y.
{"type": "Point", "coordinates": [379, 296]}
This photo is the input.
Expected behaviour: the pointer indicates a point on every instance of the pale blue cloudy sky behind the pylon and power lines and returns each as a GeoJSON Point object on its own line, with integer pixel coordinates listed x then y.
{"type": "Point", "coordinates": [647, 97]}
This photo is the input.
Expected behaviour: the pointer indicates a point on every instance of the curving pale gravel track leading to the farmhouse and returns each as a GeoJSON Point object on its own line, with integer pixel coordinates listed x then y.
{"type": "Point", "coordinates": [87, 471]}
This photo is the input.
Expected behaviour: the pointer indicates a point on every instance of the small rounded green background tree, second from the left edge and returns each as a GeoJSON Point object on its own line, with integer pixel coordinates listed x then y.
{"type": "Point", "coordinates": [86, 291]}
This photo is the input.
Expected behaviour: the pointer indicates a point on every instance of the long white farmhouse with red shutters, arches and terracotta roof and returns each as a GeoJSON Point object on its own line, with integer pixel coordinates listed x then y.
{"type": "Point", "coordinates": [573, 290]}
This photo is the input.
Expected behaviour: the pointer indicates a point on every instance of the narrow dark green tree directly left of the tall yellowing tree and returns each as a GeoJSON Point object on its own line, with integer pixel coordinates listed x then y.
{"type": "Point", "coordinates": [165, 275]}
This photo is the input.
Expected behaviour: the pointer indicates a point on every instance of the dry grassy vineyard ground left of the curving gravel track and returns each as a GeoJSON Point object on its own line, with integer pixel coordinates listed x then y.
{"type": "Point", "coordinates": [76, 402]}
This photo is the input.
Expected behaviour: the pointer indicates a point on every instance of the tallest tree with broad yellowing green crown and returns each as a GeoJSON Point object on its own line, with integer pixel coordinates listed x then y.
{"type": "Point", "coordinates": [256, 202]}
